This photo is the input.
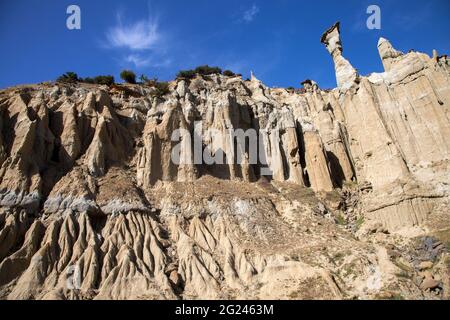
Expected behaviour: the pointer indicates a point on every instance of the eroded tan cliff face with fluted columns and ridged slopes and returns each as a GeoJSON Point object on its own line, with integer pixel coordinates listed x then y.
{"type": "Point", "coordinates": [349, 196]}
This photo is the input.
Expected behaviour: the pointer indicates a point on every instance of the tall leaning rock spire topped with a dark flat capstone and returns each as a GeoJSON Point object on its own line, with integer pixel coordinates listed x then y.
{"type": "Point", "coordinates": [346, 75]}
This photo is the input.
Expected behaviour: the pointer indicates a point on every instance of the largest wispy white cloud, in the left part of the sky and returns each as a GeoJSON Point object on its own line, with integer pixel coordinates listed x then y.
{"type": "Point", "coordinates": [142, 35]}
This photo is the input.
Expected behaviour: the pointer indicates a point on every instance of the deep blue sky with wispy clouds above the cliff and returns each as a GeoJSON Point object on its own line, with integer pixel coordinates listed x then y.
{"type": "Point", "coordinates": [279, 40]}
